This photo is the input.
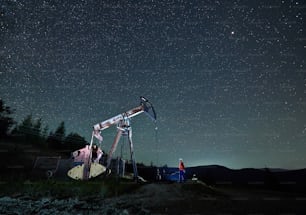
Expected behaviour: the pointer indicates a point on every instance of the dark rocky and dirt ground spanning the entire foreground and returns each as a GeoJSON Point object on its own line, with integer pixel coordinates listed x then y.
{"type": "Point", "coordinates": [188, 198]}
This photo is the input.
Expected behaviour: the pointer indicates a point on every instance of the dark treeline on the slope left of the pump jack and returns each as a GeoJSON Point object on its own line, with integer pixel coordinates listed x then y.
{"type": "Point", "coordinates": [31, 131]}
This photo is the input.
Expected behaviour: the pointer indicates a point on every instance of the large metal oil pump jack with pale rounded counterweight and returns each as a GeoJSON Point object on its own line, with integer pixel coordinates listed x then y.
{"type": "Point", "coordinates": [84, 167]}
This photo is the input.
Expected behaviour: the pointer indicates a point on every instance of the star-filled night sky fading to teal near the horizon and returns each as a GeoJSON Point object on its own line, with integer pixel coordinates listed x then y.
{"type": "Point", "coordinates": [227, 78]}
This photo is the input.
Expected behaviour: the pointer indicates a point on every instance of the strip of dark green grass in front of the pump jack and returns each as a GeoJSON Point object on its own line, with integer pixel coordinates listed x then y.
{"type": "Point", "coordinates": [66, 189]}
